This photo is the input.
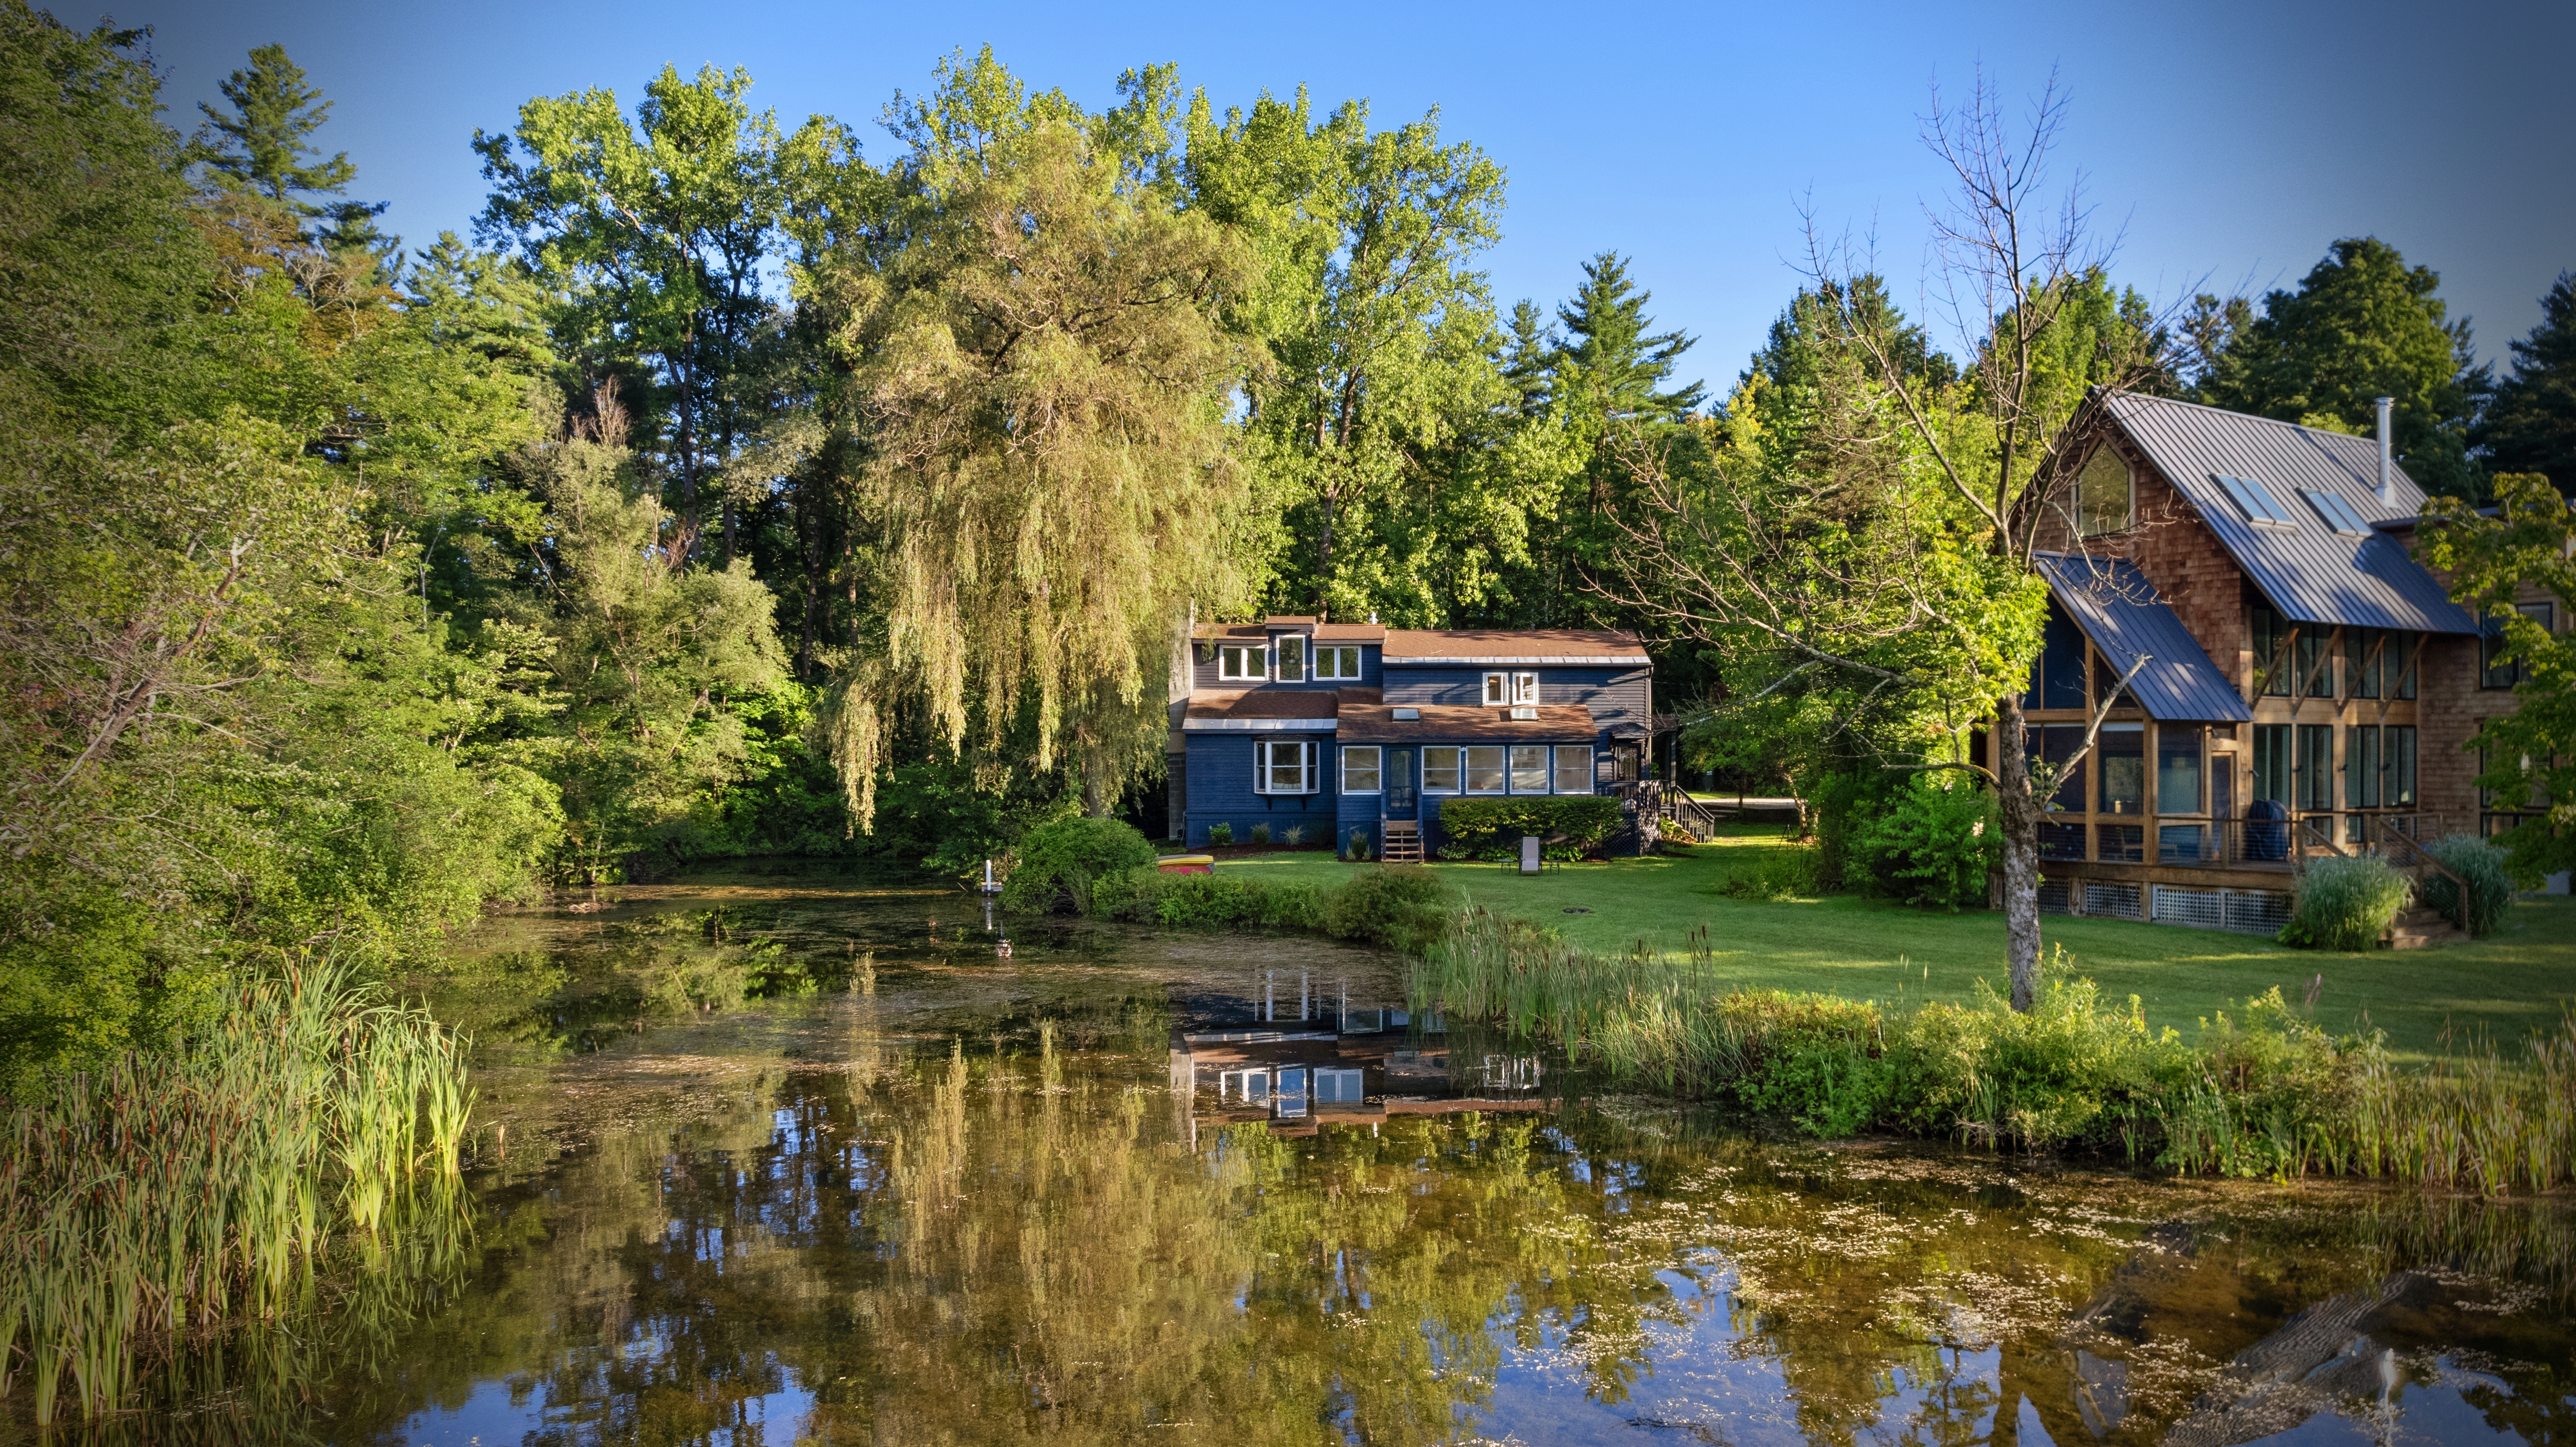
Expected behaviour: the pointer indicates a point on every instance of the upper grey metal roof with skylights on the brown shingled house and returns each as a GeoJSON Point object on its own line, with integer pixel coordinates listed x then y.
{"type": "Point", "coordinates": [2309, 570]}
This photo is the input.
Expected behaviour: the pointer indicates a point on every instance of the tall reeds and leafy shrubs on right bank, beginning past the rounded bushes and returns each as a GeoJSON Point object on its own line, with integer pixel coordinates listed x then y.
{"type": "Point", "coordinates": [2258, 1093]}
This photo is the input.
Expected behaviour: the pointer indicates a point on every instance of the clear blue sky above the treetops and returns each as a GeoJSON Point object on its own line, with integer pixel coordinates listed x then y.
{"type": "Point", "coordinates": [2222, 143]}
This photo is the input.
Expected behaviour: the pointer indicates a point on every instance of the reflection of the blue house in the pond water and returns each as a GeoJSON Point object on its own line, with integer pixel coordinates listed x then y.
{"type": "Point", "coordinates": [1310, 1054]}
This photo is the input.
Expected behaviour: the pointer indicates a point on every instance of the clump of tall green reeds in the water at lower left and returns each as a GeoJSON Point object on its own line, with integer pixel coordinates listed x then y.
{"type": "Point", "coordinates": [169, 1196]}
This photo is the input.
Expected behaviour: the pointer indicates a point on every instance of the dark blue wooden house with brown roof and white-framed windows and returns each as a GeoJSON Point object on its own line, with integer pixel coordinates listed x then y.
{"type": "Point", "coordinates": [1351, 727]}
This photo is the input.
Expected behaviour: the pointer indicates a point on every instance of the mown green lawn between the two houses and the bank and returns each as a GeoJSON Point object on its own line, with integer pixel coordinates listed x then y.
{"type": "Point", "coordinates": [2510, 982]}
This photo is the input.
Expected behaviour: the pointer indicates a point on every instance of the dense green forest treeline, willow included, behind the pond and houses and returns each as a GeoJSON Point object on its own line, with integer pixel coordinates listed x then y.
{"type": "Point", "coordinates": [746, 488]}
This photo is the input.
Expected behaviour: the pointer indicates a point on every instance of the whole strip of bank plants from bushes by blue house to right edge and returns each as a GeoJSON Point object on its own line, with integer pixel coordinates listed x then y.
{"type": "Point", "coordinates": [2258, 1090]}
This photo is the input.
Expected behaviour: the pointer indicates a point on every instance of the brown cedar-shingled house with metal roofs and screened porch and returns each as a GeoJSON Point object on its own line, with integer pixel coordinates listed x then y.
{"type": "Point", "coordinates": [2309, 684]}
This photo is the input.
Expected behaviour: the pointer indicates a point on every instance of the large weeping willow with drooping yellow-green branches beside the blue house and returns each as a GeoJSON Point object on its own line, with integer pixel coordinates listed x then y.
{"type": "Point", "coordinates": [1039, 377]}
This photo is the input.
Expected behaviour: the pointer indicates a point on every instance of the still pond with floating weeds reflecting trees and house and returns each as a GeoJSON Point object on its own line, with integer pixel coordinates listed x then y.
{"type": "Point", "coordinates": [1222, 1188]}
